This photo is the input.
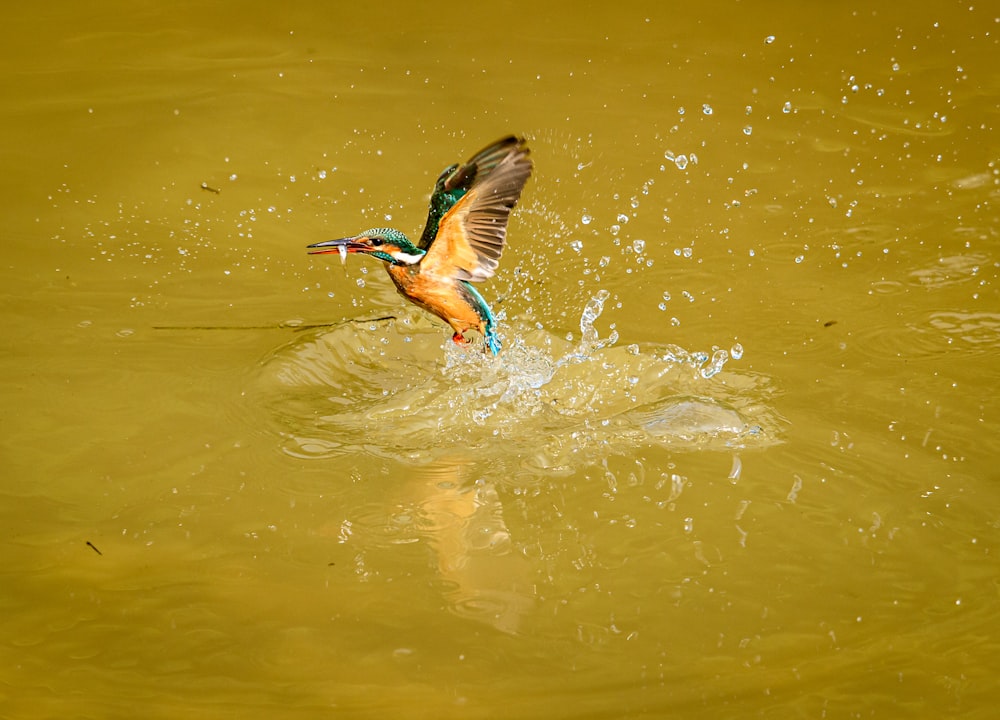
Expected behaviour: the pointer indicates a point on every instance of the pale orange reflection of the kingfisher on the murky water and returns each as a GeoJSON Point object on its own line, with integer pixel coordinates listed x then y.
{"type": "Point", "coordinates": [488, 579]}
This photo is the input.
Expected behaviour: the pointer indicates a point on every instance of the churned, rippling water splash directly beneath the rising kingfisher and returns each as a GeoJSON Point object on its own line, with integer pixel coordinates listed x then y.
{"type": "Point", "coordinates": [546, 402]}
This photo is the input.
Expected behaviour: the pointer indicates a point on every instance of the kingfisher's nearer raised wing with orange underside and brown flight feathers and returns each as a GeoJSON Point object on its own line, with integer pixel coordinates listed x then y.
{"type": "Point", "coordinates": [471, 234]}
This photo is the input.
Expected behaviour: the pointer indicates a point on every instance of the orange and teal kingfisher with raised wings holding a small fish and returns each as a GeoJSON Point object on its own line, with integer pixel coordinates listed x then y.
{"type": "Point", "coordinates": [461, 243]}
